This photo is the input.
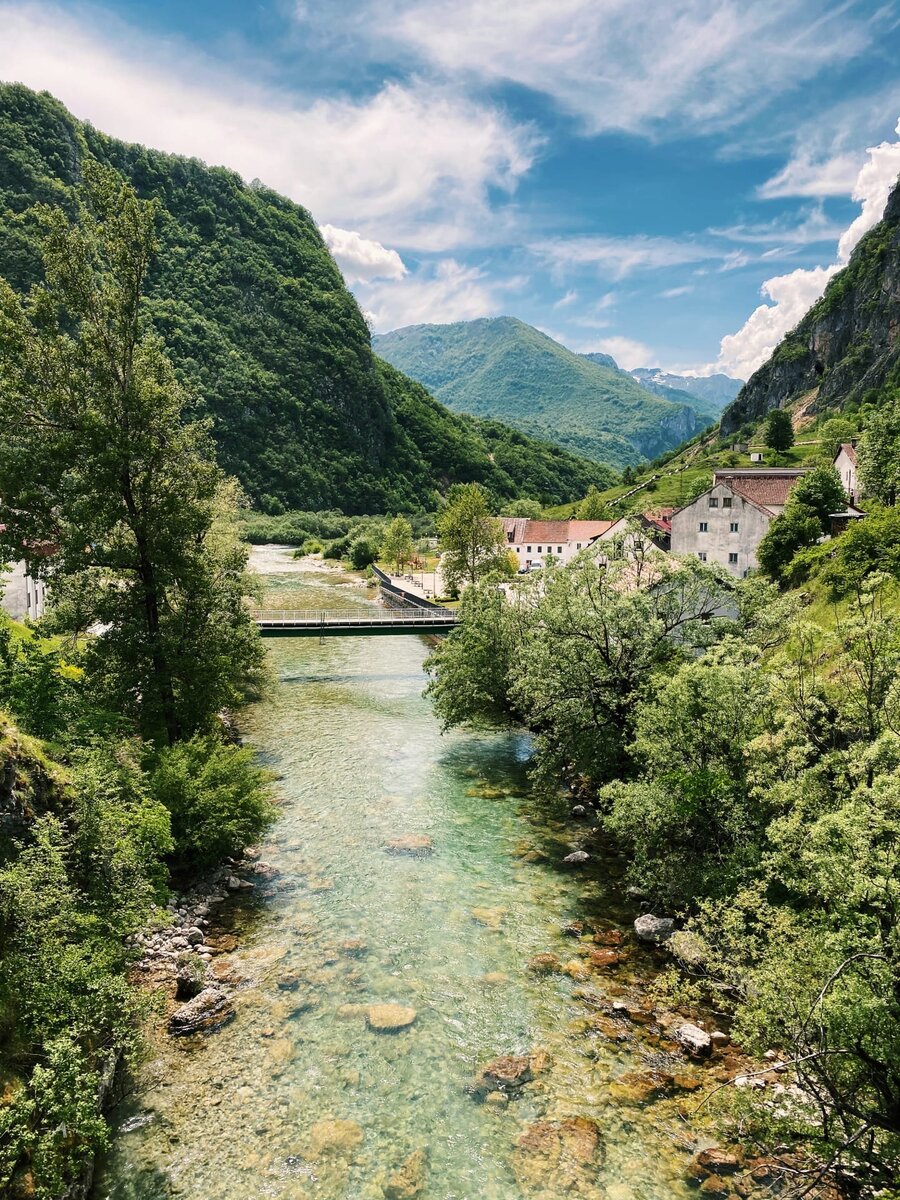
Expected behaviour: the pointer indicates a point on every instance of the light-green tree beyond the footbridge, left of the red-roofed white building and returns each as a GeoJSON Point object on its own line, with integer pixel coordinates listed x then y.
{"type": "Point", "coordinates": [472, 539]}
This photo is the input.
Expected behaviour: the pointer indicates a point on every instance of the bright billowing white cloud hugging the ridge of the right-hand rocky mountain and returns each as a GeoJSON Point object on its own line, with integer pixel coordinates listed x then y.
{"type": "Point", "coordinates": [794, 295]}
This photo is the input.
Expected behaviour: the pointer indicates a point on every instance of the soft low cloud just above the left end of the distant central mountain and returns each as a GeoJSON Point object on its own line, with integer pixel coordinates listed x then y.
{"type": "Point", "coordinates": [443, 293]}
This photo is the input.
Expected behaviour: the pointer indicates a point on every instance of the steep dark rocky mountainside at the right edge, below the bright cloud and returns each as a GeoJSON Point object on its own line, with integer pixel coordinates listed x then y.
{"type": "Point", "coordinates": [848, 346]}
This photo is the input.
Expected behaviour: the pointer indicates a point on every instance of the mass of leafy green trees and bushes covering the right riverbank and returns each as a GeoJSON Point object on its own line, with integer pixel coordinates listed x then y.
{"type": "Point", "coordinates": [747, 764]}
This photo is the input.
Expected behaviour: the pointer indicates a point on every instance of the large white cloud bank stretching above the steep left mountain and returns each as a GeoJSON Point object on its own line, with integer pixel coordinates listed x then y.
{"type": "Point", "coordinates": [412, 165]}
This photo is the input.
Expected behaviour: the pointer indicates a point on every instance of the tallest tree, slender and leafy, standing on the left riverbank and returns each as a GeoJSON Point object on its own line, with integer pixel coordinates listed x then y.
{"type": "Point", "coordinates": [109, 494]}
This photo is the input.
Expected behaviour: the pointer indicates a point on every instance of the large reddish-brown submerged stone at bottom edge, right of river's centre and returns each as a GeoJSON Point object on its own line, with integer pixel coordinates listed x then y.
{"type": "Point", "coordinates": [555, 1159]}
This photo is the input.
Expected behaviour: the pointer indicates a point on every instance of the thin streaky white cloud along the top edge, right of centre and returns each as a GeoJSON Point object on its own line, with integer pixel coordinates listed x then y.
{"type": "Point", "coordinates": [619, 65]}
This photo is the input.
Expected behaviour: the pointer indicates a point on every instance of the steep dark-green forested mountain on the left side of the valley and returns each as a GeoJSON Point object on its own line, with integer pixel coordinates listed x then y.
{"type": "Point", "coordinates": [262, 329]}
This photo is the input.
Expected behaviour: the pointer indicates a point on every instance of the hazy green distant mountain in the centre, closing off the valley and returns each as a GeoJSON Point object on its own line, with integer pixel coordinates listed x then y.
{"type": "Point", "coordinates": [503, 369]}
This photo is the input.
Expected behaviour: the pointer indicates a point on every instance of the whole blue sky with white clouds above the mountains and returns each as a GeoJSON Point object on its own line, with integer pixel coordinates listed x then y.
{"type": "Point", "coordinates": [670, 182]}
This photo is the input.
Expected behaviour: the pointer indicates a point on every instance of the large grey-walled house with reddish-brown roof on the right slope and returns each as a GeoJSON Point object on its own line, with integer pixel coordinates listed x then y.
{"type": "Point", "coordinates": [728, 523]}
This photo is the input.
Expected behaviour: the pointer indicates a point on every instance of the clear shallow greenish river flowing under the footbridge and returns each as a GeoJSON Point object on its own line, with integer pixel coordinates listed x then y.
{"type": "Point", "coordinates": [298, 1099]}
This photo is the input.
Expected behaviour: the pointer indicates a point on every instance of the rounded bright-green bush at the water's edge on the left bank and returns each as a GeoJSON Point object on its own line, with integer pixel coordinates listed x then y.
{"type": "Point", "coordinates": [218, 797]}
